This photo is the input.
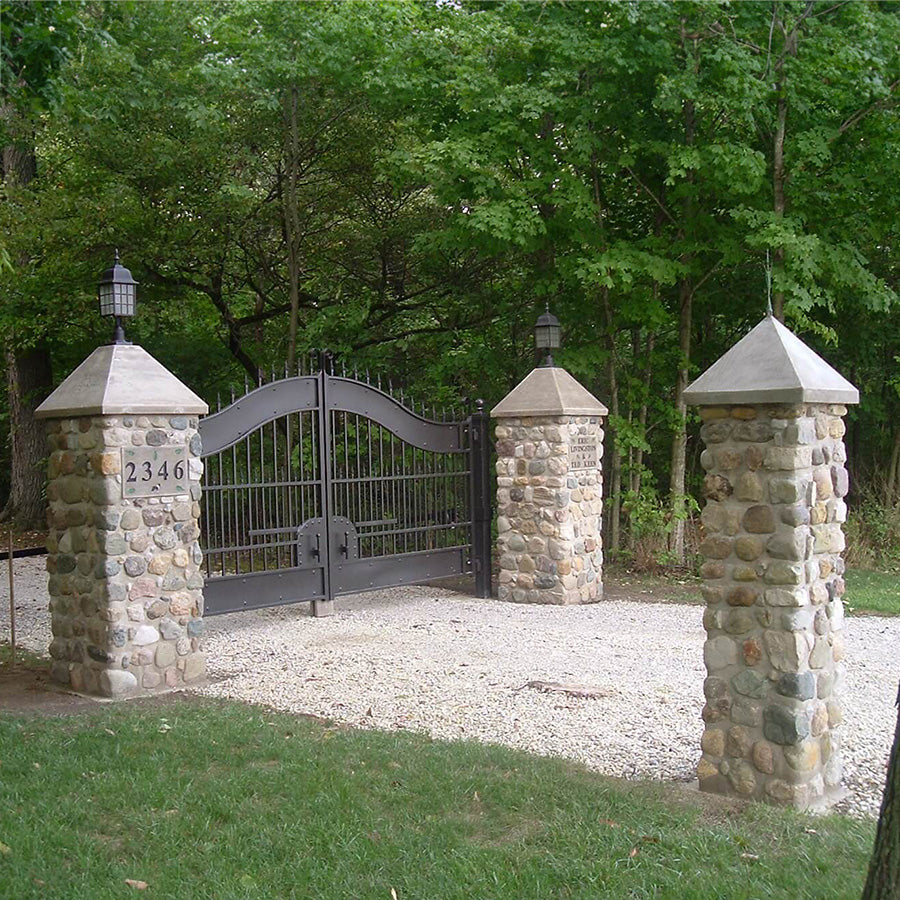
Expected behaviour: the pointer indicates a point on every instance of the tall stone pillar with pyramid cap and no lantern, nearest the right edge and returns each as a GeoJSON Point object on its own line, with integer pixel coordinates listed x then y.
{"type": "Point", "coordinates": [772, 573]}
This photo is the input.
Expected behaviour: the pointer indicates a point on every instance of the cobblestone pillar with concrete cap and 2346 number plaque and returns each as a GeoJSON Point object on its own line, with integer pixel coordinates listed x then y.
{"type": "Point", "coordinates": [125, 584]}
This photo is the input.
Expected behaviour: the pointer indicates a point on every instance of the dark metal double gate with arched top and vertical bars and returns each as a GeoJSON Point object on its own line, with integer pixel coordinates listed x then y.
{"type": "Point", "coordinates": [321, 485]}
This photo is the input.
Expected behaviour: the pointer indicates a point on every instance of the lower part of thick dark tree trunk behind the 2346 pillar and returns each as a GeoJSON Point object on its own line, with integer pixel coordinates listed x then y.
{"type": "Point", "coordinates": [28, 382]}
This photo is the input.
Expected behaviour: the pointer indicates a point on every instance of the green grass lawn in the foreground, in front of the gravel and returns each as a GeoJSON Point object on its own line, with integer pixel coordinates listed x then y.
{"type": "Point", "coordinates": [202, 799]}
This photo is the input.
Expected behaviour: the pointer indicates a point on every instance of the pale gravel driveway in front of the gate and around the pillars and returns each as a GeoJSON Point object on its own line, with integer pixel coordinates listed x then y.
{"type": "Point", "coordinates": [428, 659]}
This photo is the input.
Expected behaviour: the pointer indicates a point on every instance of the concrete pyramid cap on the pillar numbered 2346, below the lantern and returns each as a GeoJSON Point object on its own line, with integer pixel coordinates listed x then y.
{"type": "Point", "coordinates": [121, 379]}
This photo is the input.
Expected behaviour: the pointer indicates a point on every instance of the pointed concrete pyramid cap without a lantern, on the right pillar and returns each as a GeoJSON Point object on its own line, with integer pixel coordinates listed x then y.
{"type": "Point", "coordinates": [770, 365]}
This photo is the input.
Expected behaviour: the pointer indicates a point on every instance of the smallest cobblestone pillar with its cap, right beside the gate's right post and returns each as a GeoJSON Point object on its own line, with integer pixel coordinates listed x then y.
{"type": "Point", "coordinates": [549, 491]}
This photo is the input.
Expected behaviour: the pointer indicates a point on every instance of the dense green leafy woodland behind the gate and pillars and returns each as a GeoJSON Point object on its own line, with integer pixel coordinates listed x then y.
{"type": "Point", "coordinates": [408, 184]}
